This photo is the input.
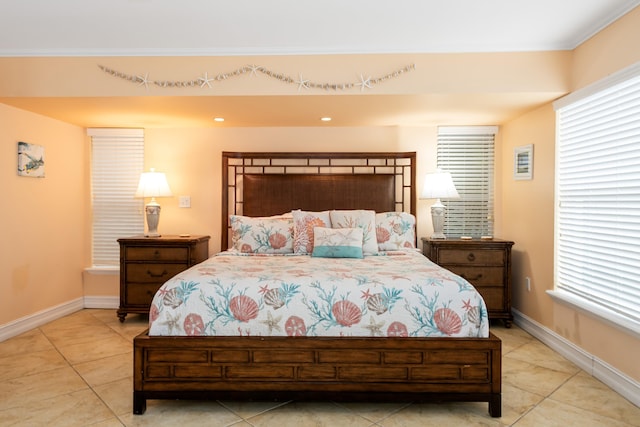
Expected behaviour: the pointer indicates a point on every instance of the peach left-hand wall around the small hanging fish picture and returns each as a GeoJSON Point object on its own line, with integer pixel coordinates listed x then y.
{"type": "Point", "coordinates": [41, 220]}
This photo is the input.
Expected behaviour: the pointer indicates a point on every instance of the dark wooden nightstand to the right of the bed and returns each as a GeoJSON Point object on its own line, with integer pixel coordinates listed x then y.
{"type": "Point", "coordinates": [486, 264]}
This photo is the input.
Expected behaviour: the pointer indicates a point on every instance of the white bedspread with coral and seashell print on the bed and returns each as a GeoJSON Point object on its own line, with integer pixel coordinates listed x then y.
{"type": "Point", "coordinates": [392, 294]}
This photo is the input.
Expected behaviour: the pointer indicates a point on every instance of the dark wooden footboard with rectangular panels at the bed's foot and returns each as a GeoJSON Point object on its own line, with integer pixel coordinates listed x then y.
{"type": "Point", "coordinates": [338, 369]}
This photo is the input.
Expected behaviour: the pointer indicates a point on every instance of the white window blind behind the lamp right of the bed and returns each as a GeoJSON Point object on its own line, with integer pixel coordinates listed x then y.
{"type": "Point", "coordinates": [467, 152]}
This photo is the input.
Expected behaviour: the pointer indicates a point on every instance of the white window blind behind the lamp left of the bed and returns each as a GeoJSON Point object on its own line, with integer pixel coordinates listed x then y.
{"type": "Point", "coordinates": [117, 159]}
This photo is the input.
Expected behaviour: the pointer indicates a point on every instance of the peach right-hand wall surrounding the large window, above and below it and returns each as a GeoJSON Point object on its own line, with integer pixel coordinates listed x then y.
{"type": "Point", "coordinates": [528, 206]}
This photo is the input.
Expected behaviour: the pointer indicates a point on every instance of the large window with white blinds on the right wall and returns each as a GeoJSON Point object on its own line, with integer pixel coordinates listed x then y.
{"type": "Point", "coordinates": [598, 198]}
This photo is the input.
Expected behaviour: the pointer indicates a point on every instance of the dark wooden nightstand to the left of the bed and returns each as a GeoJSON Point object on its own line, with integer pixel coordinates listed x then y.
{"type": "Point", "coordinates": [147, 262]}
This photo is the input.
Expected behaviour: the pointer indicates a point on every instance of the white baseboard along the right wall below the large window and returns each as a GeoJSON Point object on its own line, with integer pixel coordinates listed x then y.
{"type": "Point", "coordinates": [618, 381]}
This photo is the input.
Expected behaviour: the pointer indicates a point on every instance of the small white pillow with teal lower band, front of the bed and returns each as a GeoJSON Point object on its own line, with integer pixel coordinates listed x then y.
{"type": "Point", "coordinates": [337, 242]}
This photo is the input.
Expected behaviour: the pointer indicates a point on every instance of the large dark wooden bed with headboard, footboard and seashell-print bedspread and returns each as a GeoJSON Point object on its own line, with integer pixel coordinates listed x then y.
{"type": "Point", "coordinates": [276, 359]}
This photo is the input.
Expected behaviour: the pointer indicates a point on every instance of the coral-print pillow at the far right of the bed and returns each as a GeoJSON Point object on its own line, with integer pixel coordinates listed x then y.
{"type": "Point", "coordinates": [395, 231]}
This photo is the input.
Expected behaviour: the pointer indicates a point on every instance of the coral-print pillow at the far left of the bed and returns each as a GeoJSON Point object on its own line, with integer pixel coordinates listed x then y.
{"type": "Point", "coordinates": [261, 235]}
